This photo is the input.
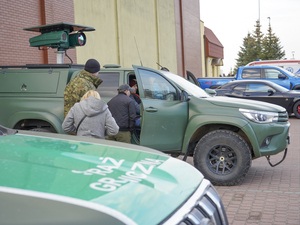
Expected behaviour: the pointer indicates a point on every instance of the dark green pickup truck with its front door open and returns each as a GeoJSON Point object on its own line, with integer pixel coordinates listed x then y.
{"type": "Point", "coordinates": [222, 134]}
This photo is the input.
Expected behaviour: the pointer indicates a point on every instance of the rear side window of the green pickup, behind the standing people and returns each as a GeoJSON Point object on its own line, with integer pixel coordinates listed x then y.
{"type": "Point", "coordinates": [108, 88]}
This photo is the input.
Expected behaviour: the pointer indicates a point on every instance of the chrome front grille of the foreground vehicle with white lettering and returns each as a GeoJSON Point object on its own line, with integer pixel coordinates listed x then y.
{"type": "Point", "coordinates": [203, 207]}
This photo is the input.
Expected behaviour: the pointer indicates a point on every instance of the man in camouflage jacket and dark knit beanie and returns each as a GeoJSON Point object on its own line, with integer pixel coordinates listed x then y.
{"type": "Point", "coordinates": [87, 80]}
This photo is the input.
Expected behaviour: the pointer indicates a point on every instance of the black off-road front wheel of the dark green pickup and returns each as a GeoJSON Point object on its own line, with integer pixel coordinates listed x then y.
{"type": "Point", "coordinates": [223, 157]}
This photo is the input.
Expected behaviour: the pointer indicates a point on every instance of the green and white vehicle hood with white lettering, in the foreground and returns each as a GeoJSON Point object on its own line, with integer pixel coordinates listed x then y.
{"type": "Point", "coordinates": [58, 179]}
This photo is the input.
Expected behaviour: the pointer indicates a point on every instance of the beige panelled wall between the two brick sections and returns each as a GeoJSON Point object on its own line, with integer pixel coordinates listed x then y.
{"type": "Point", "coordinates": [119, 23]}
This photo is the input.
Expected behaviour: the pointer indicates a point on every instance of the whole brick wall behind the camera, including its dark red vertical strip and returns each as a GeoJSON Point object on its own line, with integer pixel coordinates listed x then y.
{"type": "Point", "coordinates": [17, 15]}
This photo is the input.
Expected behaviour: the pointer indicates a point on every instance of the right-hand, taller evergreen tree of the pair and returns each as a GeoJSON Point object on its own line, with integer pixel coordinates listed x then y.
{"type": "Point", "coordinates": [271, 46]}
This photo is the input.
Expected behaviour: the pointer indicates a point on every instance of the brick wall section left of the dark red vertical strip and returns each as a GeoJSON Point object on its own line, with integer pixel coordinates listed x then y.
{"type": "Point", "coordinates": [15, 48]}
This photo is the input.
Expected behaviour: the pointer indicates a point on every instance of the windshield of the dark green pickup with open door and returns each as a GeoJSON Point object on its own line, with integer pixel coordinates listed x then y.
{"type": "Point", "coordinates": [189, 87]}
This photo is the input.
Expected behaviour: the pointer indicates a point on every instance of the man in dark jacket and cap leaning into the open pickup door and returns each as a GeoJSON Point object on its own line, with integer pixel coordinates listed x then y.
{"type": "Point", "coordinates": [123, 110]}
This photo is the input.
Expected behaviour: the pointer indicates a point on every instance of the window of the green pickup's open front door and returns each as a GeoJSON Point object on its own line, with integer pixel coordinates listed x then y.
{"type": "Point", "coordinates": [157, 87]}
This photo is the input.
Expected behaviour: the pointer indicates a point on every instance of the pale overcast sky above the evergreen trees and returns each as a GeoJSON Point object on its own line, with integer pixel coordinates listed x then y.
{"type": "Point", "coordinates": [231, 20]}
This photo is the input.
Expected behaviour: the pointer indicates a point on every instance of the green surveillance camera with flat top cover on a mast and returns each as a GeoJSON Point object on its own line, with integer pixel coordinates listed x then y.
{"type": "Point", "coordinates": [59, 35]}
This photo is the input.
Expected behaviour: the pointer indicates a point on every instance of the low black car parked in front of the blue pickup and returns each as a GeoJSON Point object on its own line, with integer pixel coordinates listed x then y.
{"type": "Point", "coordinates": [263, 91]}
